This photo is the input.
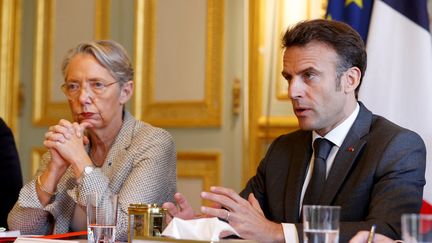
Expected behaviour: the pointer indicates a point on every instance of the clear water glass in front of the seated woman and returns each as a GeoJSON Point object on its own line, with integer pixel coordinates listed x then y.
{"type": "Point", "coordinates": [101, 218]}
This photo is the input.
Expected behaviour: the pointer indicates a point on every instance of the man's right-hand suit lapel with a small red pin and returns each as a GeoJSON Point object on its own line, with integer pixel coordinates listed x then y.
{"type": "Point", "coordinates": [348, 152]}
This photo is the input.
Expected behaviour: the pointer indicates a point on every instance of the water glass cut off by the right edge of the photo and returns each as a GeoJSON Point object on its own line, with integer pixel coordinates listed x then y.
{"type": "Point", "coordinates": [416, 228]}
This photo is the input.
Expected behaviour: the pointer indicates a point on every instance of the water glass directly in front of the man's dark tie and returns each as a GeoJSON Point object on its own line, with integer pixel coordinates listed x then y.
{"type": "Point", "coordinates": [321, 224]}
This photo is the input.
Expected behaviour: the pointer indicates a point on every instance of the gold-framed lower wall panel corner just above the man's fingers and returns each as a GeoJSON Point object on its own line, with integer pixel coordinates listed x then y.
{"type": "Point", "coordinates": [199, 165]}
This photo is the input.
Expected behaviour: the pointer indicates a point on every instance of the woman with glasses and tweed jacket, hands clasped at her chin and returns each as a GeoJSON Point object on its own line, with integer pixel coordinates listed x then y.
{"type": "Point", "coordinates": [103, 150]}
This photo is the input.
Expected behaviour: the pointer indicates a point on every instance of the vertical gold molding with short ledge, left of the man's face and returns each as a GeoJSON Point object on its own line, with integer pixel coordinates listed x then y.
{"type": "Point", "coordinates": [262, 129]}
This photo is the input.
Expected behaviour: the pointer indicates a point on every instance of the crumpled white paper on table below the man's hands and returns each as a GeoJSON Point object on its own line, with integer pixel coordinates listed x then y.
{"type": "Point", "coordinates": [207, 229]}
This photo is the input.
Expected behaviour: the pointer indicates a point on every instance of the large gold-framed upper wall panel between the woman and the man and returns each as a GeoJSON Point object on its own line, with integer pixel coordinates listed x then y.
{"type": "Point", "coordinates": [167, 94]}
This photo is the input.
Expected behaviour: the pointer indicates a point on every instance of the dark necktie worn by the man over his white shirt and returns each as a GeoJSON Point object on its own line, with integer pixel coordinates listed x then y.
{"type": "Point", "coordinates": [322, 149]}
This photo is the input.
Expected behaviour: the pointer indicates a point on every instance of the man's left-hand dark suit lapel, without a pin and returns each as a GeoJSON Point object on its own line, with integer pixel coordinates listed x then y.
{"type": "Point", "coordinates": [299, 162]}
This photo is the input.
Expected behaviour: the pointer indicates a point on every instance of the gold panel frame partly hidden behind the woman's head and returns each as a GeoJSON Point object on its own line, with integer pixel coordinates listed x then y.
{"type": "Point", "coordinates": [45, 110]}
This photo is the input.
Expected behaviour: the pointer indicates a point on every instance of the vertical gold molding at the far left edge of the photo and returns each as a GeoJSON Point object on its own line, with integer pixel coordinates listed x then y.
{"type": "Point", "coordinates": [10, 28]}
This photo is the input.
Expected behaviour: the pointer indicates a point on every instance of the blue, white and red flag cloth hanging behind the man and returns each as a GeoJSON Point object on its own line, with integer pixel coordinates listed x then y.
{"type": "Point", "coordinates": [398, 80]}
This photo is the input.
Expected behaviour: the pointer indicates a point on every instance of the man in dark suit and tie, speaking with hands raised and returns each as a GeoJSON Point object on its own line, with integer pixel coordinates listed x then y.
{"type": "Point", "coordinates": [374, 170]}
